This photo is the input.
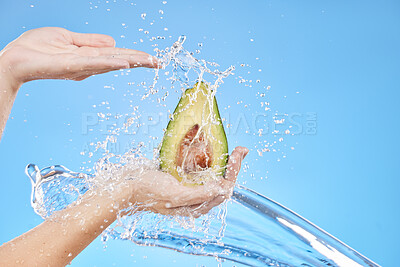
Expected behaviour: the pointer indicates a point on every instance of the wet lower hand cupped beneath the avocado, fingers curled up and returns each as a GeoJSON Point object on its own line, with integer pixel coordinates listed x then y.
{"type": "Point", "coordinates": [162, 193]}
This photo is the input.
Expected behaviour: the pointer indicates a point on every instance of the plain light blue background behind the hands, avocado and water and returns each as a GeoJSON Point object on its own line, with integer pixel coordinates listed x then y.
{"type": "Point", "coordinates": [334, 59]}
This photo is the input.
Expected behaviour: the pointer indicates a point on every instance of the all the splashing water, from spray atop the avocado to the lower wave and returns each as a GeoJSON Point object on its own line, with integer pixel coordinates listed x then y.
{"type": "Point", "coordinates": [250, 229]}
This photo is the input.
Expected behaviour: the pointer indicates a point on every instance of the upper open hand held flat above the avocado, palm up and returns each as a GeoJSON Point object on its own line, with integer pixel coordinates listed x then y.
{"type": "Point", "coordinates": [56, 53]}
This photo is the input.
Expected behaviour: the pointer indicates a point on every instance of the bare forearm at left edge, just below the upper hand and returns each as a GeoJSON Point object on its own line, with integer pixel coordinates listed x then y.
{"type": "Point", "coordinates": [8, 91]}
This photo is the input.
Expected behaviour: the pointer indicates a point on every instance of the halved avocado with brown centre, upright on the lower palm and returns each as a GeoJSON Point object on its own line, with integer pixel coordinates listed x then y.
{"type": "Point", "coordinates": [194, 147]}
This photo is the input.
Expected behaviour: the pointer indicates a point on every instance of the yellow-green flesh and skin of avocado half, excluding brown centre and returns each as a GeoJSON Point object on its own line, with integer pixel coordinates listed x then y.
{"type": "Point", "coordinates": [197, 105]}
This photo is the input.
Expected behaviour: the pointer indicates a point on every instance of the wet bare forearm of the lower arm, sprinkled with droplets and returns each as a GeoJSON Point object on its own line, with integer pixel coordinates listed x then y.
{"type": "Point", "coordinates": [58, 241]}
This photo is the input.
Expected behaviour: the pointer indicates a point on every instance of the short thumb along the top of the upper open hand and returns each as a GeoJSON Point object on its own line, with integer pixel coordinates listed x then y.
{"type": "Point", "coordinates": [92, 39]}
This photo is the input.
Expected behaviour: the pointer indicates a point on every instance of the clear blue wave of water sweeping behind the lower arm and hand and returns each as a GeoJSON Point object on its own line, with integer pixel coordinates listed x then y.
{"type": "Point", "coordinates": [250, 229]}
